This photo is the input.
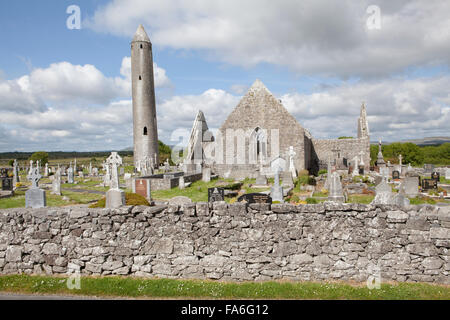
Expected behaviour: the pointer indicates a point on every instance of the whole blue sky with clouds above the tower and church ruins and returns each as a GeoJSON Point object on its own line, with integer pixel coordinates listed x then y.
{"type": "Point", "coordinates": [69, 89]}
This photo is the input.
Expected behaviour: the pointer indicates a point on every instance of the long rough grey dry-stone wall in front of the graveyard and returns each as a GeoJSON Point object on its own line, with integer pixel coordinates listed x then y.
{"type": "Point", "coordinates": [231, 241]}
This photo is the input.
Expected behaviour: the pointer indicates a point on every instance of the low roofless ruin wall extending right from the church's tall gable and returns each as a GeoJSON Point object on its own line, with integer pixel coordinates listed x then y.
{"type": "Point", "coordinates": [349, 149]}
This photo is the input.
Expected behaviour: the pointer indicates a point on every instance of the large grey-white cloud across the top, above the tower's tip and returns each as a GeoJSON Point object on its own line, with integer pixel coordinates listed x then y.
{"type": "Point", "coordinates": [311, 36]}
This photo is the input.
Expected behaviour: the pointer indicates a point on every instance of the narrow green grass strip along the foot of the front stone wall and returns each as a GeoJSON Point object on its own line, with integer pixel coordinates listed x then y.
{"type": "Point", "coordinates": [169, 288]}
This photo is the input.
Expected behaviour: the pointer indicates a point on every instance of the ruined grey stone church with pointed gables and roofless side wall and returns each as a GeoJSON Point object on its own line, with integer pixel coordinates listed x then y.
{"type": "Point", "coordinates": [260, 135]}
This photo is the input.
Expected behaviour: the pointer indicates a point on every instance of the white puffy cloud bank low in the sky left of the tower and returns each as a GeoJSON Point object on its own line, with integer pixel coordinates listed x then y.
{"type": "Point", "coordinates": [69, 107]}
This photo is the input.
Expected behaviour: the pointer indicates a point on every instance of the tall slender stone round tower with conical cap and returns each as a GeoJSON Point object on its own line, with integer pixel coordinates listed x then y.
{"type": "Point", "coordinates": [145, 130]}
